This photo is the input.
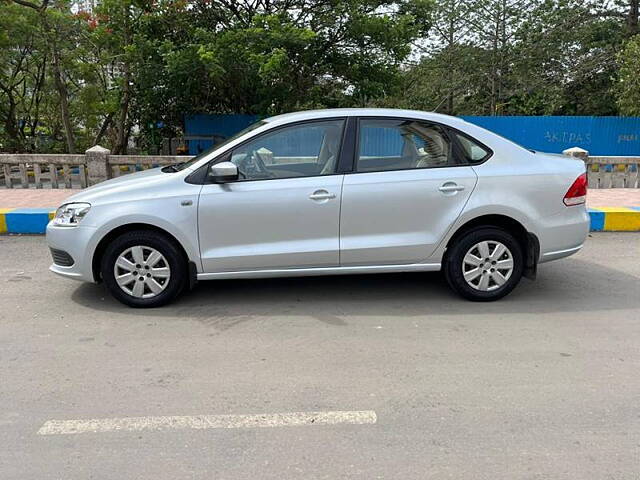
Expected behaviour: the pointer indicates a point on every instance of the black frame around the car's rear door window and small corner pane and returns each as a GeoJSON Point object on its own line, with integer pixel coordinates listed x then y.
{"type": "Point", "coordinates": [461, 158]}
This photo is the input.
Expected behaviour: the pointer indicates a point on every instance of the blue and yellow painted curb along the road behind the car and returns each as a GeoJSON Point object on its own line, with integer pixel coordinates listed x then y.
{"type": "Point", "coordinates": [34, 220]}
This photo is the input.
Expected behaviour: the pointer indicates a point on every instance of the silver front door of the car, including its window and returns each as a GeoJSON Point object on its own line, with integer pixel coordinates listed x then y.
{"type": "Point", "coordinates": [284, 211]}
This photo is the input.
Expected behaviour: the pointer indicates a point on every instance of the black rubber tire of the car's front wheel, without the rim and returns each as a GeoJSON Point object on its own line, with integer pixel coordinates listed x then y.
{"type": "Point", "coordinates": [155, 240]}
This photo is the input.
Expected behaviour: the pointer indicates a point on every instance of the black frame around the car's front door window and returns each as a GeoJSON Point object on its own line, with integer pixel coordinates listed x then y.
{"type": "Point", "coordinates": [203, 177]}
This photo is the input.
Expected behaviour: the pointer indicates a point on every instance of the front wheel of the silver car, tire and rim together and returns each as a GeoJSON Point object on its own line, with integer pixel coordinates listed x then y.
{"type": "Point", "coordinates": [160, 276]}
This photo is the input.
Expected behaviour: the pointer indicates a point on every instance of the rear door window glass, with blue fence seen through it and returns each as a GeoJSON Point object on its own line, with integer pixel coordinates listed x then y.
{"type": "Point", "coordinates": [391, 144]}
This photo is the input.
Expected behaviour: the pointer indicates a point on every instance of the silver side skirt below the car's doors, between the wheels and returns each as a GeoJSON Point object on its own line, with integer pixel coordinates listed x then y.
{"type": "Point", "coordinates": [308, 272]}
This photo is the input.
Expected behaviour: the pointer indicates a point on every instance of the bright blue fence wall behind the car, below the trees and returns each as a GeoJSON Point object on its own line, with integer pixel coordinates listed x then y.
{"type": "Point", "coordinates": [598, 135]}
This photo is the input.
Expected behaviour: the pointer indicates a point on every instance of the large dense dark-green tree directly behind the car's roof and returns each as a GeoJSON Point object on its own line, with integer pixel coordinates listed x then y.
{"type": "Point", "coordinates": [268, 57]}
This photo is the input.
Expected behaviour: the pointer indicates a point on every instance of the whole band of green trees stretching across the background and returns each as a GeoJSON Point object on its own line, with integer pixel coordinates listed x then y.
{"type": "Point", "coordinates": [128, 71]}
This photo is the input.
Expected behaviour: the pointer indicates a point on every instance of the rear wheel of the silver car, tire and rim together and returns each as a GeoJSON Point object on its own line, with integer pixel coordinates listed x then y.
{"type": "Point", "coordinates": [489, 282]}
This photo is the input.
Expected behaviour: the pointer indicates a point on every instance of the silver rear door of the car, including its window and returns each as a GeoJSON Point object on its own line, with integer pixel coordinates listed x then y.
{"type": "Point", "coordinates": [410, 183]}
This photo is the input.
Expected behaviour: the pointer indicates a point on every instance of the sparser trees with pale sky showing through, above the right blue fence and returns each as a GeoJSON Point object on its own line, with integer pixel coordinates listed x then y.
{"type": "Point", "coordinates": [501, 57]}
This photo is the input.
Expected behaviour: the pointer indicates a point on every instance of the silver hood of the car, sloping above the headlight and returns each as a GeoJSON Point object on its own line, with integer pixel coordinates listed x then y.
{"type": "Point", "coordinates": [121, 186]}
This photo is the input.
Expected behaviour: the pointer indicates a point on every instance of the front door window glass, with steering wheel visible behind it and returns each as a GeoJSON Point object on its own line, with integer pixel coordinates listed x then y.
{"type": "Point", "coordinates": [304, 150]}
